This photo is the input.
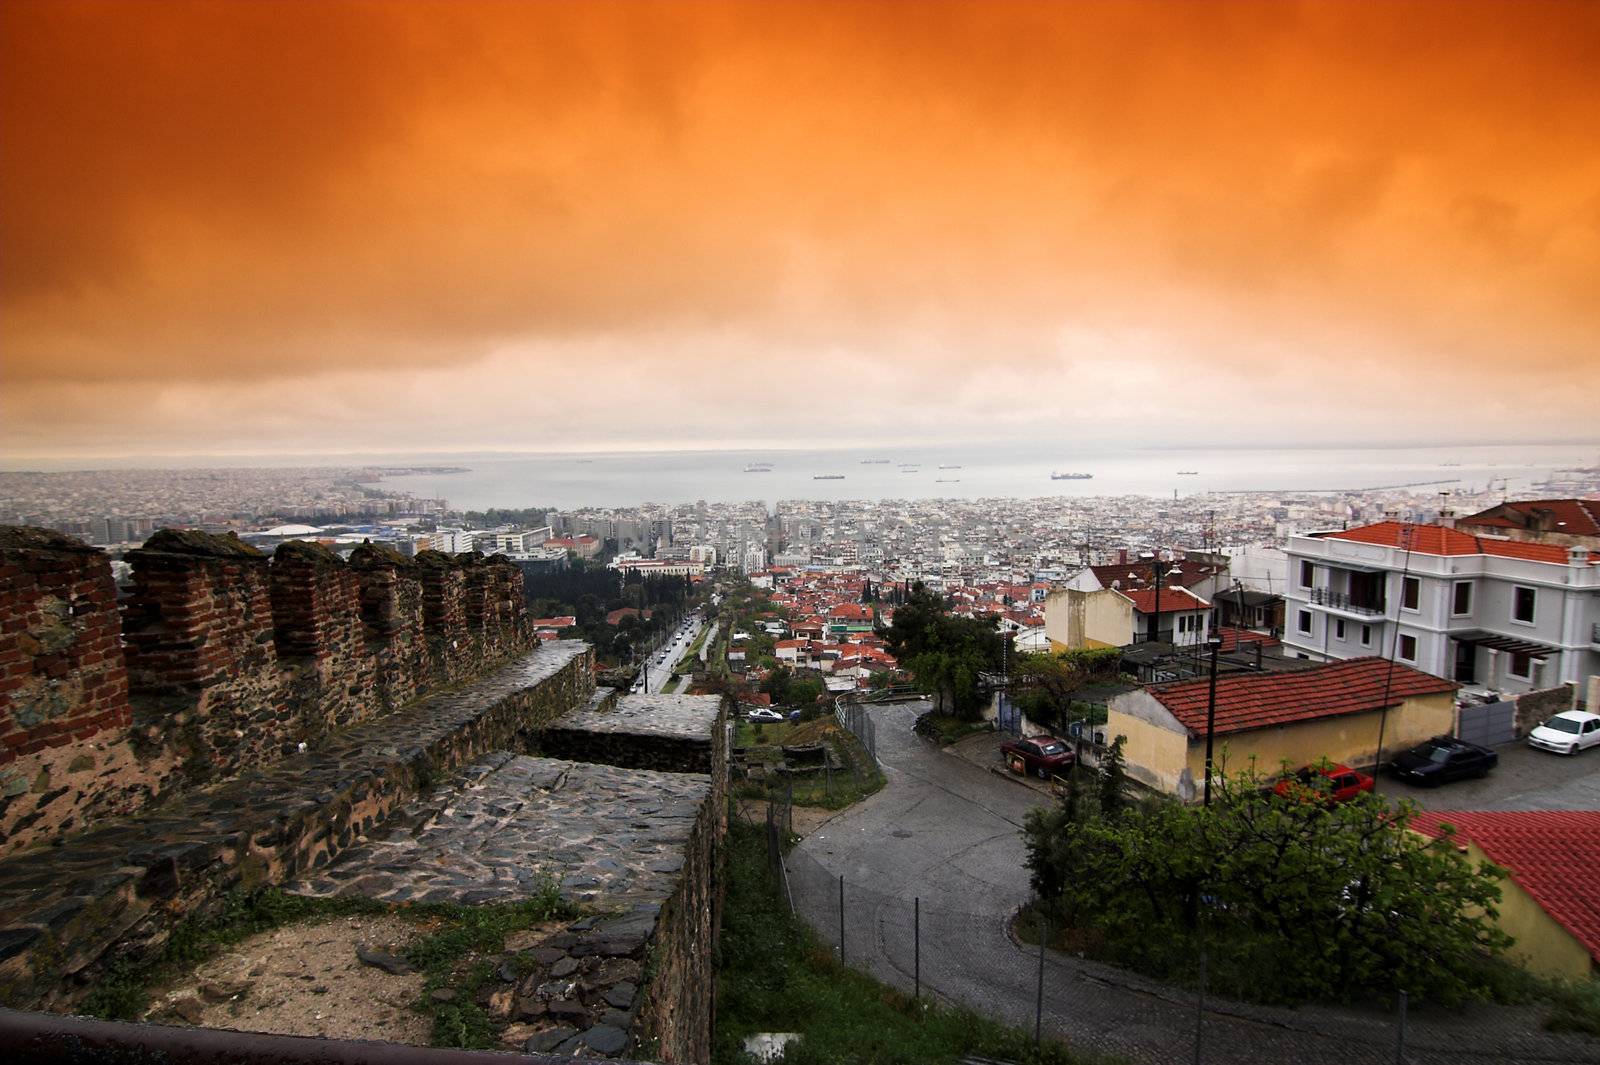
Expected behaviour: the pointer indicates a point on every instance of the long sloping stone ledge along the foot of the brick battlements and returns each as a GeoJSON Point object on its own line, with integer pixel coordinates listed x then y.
{"type": "Point", "coordinates": [121, 888]}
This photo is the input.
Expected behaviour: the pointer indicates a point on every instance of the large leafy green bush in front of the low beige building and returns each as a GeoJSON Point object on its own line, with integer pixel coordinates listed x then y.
{"type": "Point", "coordinates": [1295, 899]}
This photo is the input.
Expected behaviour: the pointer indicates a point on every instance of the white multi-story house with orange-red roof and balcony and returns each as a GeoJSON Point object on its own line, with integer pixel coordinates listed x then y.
{"type": "Point", "coordinates": [1492, 613]}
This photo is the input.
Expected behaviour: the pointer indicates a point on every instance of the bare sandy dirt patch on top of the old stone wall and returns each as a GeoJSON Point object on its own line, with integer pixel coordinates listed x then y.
{"type": "Point", "coordinates": [305, 979]}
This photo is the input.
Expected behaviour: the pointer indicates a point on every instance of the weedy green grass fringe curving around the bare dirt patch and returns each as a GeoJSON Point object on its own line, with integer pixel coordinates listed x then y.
{"type": "Point", "coordinates": [454, 952]}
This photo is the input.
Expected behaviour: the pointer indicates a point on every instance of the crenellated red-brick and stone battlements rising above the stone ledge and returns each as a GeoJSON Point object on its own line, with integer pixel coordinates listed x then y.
{"type": "Point", "coordinates": [223, 660]}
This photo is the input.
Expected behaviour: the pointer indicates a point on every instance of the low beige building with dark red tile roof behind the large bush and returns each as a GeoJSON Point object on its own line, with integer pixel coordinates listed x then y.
{"type": "Point", "coordinates": [1298, 717]}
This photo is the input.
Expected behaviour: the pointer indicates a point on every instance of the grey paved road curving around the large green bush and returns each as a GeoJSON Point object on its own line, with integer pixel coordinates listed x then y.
{"type": "Point", "coordinates": [948, 832]}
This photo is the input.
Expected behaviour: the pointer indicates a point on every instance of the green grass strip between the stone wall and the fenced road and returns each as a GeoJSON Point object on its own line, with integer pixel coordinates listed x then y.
{"type": "Point", "coordinates": [775, 976]}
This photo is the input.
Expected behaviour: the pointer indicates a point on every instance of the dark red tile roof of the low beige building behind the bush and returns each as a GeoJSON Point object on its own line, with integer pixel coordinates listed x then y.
{"type": "Point", "coordinates": [1257, 701]}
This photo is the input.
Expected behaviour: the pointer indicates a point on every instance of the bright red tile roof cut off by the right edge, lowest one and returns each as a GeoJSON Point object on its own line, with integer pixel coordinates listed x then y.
{"type": "Point", "coordinates": [1551, 855]}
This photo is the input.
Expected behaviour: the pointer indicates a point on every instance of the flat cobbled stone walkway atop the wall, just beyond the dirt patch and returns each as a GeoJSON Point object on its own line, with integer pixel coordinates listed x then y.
{"type": "Point", "coordinates": [511, 823]}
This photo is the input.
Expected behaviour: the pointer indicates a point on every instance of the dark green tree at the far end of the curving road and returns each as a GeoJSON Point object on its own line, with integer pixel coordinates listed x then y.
{"type": "Point", "coordinates": [945, 655]}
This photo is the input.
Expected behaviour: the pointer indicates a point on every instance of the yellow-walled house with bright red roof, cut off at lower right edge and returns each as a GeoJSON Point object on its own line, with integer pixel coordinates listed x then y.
{"type": "Point", "coordinates": [1551, 901]}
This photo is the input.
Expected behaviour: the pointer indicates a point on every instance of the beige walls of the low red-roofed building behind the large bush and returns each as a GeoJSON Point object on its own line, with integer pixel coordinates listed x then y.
{"type": "Point", "coordinates": [1177, 768]}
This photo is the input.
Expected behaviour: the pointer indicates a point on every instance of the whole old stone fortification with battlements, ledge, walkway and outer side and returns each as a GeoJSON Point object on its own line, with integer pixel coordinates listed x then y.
{"type": "Point", "coordinates": [254, 720]}
